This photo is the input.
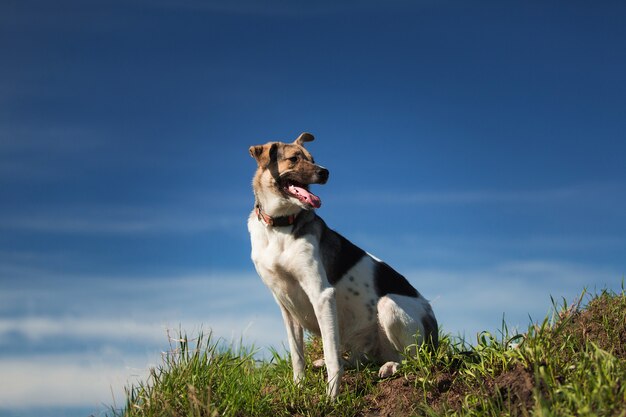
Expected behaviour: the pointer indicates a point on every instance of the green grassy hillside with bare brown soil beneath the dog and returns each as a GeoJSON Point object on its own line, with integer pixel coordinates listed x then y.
{"type": "Point", "coordinates": [571, 364]}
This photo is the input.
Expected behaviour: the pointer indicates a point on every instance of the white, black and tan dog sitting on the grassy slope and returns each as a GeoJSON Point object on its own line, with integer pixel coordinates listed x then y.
{"type": "Point", "coordinates": [322, 282]}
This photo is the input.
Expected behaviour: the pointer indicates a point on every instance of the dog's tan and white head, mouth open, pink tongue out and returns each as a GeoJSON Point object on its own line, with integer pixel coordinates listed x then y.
{"type": "Point", "coordinates": [285, 171]}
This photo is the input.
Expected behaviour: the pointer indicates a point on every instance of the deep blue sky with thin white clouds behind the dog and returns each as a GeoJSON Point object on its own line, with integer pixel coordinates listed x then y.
{"type": "Point", "coordinates": [477, 147]}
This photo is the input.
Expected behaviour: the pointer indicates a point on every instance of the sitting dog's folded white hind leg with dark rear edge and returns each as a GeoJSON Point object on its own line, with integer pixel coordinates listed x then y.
{"type": "Point", "coordinates": [403, 321]}
